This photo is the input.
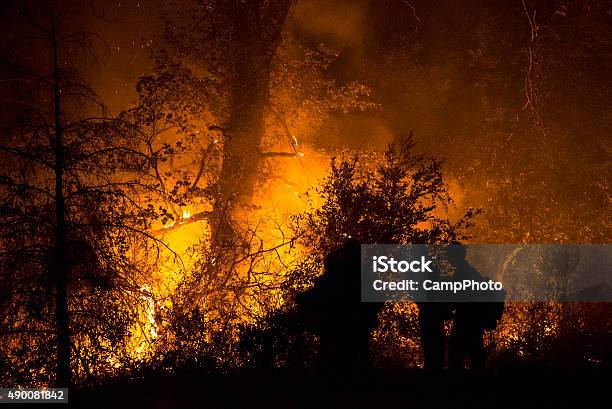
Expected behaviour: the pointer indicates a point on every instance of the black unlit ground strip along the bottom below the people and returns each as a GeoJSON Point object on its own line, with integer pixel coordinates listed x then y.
{"type": "Point", "coordinates": [509, 389]}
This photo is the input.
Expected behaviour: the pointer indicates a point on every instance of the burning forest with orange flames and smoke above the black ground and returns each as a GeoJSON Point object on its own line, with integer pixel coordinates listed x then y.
{"type": "Point", "coordinates": [179, 179]}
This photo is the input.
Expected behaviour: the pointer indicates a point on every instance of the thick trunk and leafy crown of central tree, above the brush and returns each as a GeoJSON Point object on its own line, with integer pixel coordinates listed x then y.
{"type": "Point", "coordinates": [224, 78]}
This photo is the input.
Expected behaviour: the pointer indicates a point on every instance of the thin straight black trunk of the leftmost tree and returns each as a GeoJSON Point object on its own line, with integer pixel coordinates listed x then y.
{"type": "Point", "coordinates": [60, 268]}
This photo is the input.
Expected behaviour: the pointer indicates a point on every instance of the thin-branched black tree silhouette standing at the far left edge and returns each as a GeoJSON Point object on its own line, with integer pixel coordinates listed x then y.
{"type": "Point", "coordinates": [73, 231]}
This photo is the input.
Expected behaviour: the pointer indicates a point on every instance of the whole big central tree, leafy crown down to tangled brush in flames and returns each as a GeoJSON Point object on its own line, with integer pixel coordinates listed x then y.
{"type": "Point", "coordinates": [229, 87]}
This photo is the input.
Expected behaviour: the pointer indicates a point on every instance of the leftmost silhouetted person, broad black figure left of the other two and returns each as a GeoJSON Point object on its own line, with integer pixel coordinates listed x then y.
{"type": "Point", "coordinates": [334, 310]}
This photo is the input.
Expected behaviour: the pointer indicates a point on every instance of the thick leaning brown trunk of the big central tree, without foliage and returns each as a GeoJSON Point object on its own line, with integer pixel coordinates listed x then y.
{"type": "Point", "coordinates": [258, 34]}
